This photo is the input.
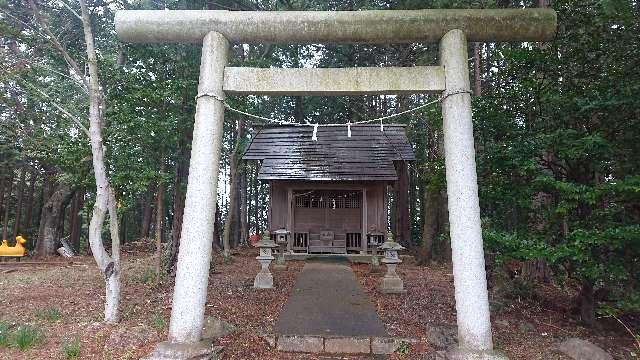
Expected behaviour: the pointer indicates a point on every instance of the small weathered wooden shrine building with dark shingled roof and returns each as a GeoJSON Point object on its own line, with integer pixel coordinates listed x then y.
{"type": "Point", "coordinates": [329, 185]}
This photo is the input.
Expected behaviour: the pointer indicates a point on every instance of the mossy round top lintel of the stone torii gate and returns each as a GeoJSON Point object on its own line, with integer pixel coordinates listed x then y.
{"type": "Point", "coordinates": [304, 27]}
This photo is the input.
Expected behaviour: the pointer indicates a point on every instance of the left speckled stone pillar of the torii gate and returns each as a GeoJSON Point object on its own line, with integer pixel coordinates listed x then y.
{"type": "Point", "coordinates": [192, 271]}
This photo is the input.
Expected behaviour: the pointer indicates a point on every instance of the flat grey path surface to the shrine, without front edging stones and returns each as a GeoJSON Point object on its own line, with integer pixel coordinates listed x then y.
{"type": "Point", "coordinates": [328, 301]}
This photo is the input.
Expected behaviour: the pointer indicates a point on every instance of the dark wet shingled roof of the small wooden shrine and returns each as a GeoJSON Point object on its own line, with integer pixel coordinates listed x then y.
{"type": "Point", "coordinates": [290, 153]}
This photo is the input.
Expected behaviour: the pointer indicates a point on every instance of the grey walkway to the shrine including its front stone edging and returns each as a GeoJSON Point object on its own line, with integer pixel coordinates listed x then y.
{"type": "Point", "coordinates": [329, 312]}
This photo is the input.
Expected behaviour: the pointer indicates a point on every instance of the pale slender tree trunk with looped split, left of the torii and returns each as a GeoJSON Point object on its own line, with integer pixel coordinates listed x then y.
{"type": "Point", "coordinates": [105, 201]}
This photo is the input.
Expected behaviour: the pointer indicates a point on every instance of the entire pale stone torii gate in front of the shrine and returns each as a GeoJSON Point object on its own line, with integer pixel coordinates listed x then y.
{"type": "Point", "coordinates": [215, 29]}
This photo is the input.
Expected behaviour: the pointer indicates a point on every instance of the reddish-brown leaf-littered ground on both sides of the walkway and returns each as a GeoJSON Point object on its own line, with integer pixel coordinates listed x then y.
{"type": "Point", "coordinates": [522, 329]}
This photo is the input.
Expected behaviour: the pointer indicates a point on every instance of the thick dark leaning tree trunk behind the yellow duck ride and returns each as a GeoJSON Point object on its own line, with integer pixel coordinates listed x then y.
{"type": "Point", "coordinates": [50, 217]}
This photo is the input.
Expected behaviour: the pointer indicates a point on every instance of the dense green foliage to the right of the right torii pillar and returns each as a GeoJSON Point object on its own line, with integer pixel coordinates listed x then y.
{"type": "Point", "coordinates": [558, 156]}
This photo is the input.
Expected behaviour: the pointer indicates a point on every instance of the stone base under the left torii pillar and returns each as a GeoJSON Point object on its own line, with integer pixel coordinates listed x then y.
{"type": "Point", "coordinates": [203, 350]}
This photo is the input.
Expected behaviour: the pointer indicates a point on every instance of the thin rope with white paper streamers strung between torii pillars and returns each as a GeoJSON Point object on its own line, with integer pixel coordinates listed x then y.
{"type": "Point", "coordinates": [315, 126]}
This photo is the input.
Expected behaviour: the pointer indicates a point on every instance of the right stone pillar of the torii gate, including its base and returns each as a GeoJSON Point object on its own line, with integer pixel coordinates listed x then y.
{"type": "Point", "coordinates": [467, 254]}
